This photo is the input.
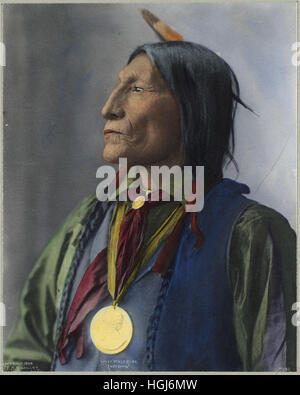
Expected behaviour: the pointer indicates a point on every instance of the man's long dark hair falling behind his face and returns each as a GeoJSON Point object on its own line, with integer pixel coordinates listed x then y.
{"type": "Point", "coordinates": [207, 92]}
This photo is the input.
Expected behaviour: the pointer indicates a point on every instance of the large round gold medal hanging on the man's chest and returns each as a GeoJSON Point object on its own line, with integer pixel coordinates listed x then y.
{"type": "Point", "coordinates": [111, 330]}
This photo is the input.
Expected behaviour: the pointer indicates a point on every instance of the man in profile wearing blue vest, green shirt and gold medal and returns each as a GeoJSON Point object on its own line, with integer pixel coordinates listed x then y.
{"type": "Point", "coordinates": [210, 291]}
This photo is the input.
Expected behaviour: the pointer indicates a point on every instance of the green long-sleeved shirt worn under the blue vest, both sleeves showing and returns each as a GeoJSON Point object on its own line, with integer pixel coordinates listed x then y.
{"type": "Point", "coordinates": [262, 241]}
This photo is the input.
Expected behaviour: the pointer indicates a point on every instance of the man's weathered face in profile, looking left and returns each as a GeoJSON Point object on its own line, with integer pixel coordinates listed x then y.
{"type": "Point", "coordinates": [142, 118]}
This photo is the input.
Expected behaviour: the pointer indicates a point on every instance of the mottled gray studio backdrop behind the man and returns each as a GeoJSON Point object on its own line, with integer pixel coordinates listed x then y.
{"type": "Point", "coordinates": [63, 60]}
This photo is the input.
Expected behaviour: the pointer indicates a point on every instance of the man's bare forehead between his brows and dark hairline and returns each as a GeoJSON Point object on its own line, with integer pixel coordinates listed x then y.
{"type": "Point", "coordinates": [141, 67]}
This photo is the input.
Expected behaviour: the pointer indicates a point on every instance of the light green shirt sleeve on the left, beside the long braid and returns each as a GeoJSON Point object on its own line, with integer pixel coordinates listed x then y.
{"type": "Point", "coordinates": [31, 343]}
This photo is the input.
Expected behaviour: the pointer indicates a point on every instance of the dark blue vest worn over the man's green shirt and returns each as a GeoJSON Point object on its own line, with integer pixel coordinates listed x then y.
{"type": "Point", "coordinates": [191, 325]}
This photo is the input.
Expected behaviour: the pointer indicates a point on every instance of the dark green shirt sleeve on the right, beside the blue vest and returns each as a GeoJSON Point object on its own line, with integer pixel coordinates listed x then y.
{"type": "Point", "coordinates": [262, 271]}
